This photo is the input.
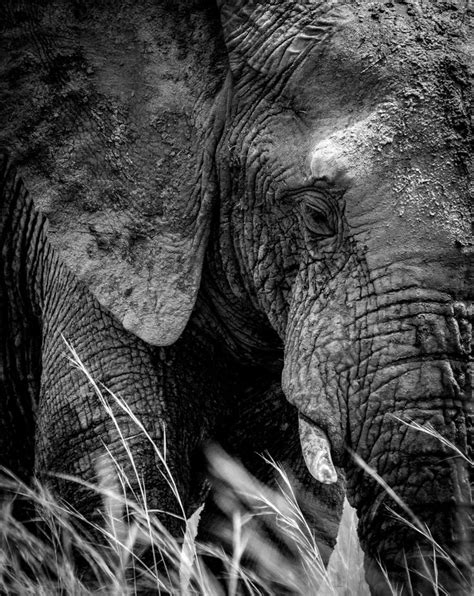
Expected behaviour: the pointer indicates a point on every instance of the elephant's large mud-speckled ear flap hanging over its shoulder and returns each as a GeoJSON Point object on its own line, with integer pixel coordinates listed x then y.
{"type": "Point", "coordinates": [111, 111]}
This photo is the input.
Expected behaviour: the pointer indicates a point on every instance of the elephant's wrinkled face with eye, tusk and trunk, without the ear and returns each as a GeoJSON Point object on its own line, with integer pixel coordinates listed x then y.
{"type": "Point", "coordinates": [344, 155]}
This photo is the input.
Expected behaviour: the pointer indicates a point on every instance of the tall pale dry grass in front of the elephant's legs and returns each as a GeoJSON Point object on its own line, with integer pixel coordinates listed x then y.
{"type": "Point", "coordinates": [44, 560]}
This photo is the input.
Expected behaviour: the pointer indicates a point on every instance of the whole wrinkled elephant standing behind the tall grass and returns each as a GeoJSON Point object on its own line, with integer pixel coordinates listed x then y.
{"type": "Point", "coordinates": [251, 220]}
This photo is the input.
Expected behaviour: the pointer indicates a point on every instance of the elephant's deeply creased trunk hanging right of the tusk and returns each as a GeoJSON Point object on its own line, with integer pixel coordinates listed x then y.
{"type": "Point", "coordinates": [417, 372]}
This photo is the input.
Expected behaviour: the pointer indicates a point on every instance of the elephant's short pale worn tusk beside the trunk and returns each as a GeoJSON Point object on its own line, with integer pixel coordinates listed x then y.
{"type": "Point", "coordinates": [317, 452]}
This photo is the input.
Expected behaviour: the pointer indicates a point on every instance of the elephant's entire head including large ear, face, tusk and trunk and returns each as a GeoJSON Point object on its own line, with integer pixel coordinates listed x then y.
{"type": "Point", "coordinates": [301, 168]}
